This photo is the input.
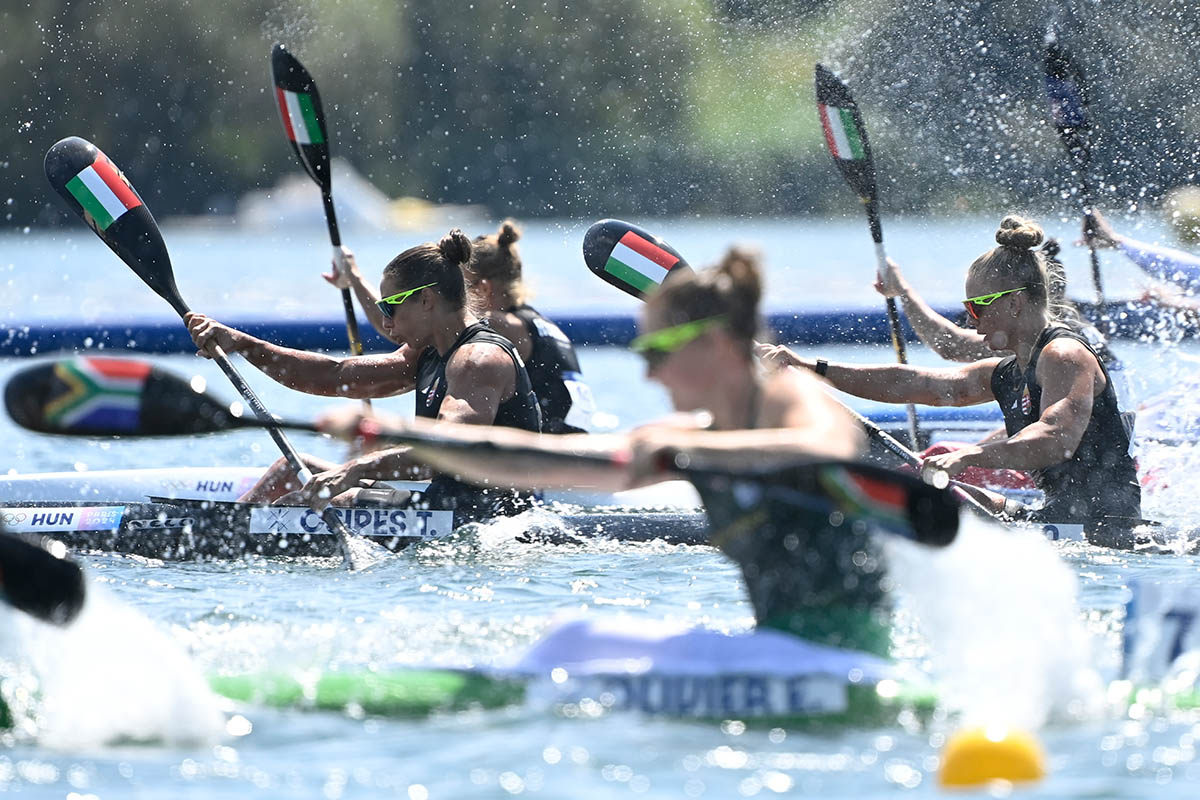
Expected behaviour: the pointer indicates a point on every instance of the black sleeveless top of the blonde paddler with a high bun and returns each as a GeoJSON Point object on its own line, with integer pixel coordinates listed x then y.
{"type": "Point", "coordinates": [1100, 479]}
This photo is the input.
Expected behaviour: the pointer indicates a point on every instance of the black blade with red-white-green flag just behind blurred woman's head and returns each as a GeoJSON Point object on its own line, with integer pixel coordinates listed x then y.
{"type": "Point", "coordinates": [631, 258]}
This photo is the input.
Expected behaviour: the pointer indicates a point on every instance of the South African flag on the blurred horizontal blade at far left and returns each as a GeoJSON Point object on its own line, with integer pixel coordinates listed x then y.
{"type": "Point", "coordinates": [103, 393]}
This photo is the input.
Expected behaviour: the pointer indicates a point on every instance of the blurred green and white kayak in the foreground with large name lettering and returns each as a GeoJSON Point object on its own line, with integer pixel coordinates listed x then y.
{"type": "Point", "coordinates": [590, 667]}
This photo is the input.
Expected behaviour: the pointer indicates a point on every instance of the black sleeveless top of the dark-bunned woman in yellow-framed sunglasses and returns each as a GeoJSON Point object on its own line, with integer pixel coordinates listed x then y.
{"type": "Point", "coordinates": [519, 412]}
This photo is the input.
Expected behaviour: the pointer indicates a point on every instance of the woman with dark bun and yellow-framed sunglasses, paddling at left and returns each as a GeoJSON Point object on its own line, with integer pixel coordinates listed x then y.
{"type": "Point", "coordinates": [460, 369]}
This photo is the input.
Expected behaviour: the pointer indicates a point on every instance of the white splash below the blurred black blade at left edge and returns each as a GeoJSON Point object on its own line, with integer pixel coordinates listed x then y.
{"type": "Point", "coordinates": [110, 677]}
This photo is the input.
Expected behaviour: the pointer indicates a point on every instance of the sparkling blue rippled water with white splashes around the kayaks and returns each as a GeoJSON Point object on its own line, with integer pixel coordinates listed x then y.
{"type": "Point", "coordinates": [998, 615]}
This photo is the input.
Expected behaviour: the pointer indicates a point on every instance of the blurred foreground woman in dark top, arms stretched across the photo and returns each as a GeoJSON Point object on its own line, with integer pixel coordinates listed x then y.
{"type": "Point", "coordinates": [808, 573]}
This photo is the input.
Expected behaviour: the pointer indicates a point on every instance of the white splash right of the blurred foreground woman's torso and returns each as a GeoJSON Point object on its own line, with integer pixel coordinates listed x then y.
{"type": "Point", "coordinates": [1000, 615]}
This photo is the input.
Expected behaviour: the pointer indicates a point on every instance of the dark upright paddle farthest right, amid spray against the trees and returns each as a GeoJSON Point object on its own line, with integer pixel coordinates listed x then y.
{"type": "Point", "coordinates": [1067, 95]}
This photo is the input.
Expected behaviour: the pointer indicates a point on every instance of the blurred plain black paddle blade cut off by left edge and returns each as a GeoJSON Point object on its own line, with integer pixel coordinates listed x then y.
{"type": "Point", "coordinates": [38, 579]}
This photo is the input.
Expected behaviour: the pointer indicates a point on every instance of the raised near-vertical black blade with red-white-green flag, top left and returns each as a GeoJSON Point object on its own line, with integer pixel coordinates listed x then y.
{"type": "Point", "coordinates": [304, 121]}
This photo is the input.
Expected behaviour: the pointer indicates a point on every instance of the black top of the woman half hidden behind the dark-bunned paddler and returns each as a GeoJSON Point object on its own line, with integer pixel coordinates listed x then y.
{"type": "Point", "coordinates": [555, 374]}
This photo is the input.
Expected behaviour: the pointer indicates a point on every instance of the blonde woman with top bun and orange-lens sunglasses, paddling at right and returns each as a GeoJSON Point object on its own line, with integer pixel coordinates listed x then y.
{"type": "Point", "coordinates": [1061, 412]}
